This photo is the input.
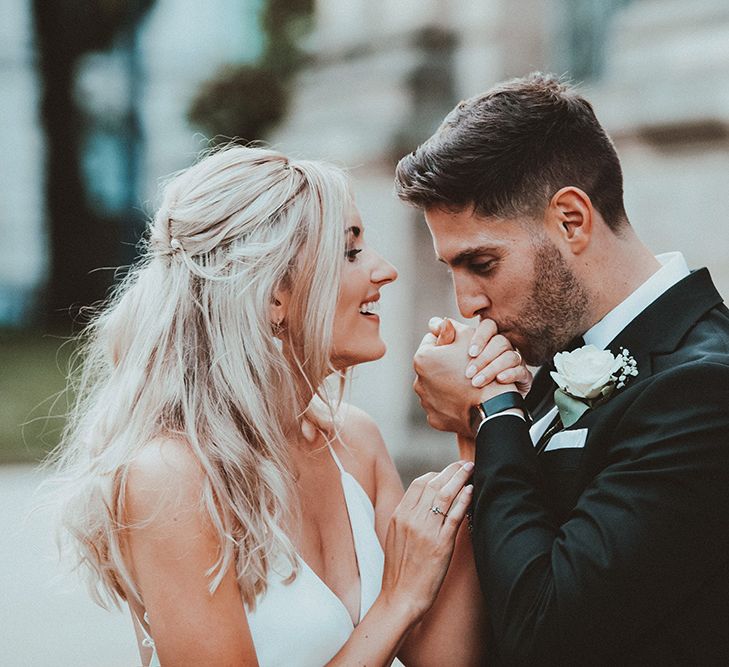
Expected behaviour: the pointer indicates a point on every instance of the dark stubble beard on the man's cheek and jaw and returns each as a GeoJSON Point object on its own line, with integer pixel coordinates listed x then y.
{"type": "Point", "coordinates": [555, 310]}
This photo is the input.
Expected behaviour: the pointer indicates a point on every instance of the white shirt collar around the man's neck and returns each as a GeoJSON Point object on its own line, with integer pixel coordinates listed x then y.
{"type": "Point", "coordinates": [673, 269]}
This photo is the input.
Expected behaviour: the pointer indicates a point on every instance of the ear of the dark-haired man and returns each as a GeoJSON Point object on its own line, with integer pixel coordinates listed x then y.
{"type": "Point", "coordinates": [570, 217]}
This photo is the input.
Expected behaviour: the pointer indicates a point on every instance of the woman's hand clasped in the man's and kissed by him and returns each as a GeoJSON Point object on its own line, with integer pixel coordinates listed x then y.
{"type": "Point", "coordinates": [493, 357]}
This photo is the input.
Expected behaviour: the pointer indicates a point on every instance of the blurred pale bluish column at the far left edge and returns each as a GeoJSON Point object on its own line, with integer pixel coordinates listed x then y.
{"type": "Point", "coordinates": [23, 242]}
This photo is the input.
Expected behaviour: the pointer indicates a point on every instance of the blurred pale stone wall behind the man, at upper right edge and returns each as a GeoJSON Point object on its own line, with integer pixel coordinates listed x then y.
{"type": "Point", "coordinates": [665, 100]}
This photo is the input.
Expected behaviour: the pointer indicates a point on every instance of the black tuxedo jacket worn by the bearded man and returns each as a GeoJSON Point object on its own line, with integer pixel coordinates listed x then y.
{"type": "Point", "coordinates": [618, 553]}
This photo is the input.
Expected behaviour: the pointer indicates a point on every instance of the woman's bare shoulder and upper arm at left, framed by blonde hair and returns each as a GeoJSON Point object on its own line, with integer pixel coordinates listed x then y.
{"type": "Point", "coordinates": [168, 551]}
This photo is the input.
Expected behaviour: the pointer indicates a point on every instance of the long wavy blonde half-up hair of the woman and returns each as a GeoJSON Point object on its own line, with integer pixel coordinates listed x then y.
{"type": "Point", "coordinates": [186, 347]}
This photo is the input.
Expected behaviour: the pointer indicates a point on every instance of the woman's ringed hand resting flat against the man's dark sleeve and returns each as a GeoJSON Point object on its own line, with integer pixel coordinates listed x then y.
{"type": "Point", "coordinates": [420, 540]}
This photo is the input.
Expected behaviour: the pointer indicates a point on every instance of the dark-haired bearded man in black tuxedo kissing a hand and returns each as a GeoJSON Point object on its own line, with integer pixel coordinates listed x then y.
{"type": "Point", "coordinates": [601, 531]}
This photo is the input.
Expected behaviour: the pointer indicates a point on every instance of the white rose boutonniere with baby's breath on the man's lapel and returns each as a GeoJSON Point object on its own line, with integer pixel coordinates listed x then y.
{"type": "Point", "coordinates": [587, 377]}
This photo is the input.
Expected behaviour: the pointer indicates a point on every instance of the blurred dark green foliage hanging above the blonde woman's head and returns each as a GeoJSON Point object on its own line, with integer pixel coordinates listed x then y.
{"type": "Point", "coordinates": [246, 101]}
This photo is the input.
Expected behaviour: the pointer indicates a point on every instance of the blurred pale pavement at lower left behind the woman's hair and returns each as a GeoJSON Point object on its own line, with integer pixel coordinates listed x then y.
{"type": "Point", "coordinates": [46, 617]}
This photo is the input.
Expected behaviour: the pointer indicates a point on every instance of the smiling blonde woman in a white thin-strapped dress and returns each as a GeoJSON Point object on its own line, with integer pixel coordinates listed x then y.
{"type": "Point", "coordinates": [196, 488]}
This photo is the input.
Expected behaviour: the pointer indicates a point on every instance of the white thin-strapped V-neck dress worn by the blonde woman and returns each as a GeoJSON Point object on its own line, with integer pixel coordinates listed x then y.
{"type": "Point", "coordinates": [304, 623]}
